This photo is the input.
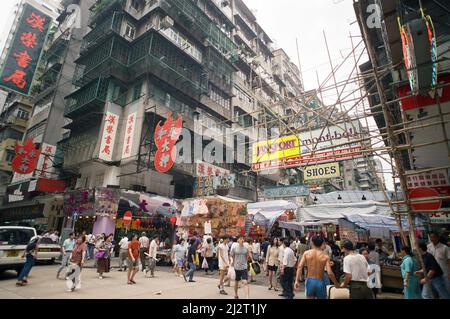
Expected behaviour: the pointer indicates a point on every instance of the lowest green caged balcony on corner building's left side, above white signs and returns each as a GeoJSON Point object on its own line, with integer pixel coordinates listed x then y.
{"type": "Point", "coordinates": [91, 97]}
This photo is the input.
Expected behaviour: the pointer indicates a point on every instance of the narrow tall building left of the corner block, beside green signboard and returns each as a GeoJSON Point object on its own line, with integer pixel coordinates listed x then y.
{"type": "Point", "coordinates": [30, 198]}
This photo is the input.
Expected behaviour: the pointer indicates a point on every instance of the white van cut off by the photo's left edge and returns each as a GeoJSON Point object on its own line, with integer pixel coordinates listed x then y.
{"type": "Point", "coordinates": [13, 242]}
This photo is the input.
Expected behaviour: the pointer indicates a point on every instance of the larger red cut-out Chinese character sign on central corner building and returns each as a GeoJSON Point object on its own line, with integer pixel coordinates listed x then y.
{"type": "Point", "coordinates": [166, 137]}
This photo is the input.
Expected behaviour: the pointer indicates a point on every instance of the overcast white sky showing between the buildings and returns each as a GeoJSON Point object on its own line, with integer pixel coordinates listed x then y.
{"type": "Point", "coordinates": [286, 20]}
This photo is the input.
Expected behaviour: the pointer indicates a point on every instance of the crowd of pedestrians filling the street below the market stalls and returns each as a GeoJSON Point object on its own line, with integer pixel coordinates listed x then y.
{"type": "Point", "coordinates": [317, 264]}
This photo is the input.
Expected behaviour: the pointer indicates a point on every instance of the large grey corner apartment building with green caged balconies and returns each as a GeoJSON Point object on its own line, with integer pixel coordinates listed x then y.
{"type": "Point", "coordinates": [206, 60]}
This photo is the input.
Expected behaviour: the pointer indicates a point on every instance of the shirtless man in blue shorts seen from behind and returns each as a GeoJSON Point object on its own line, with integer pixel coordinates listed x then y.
{"type": "Point", "coordinates": [316, 261]}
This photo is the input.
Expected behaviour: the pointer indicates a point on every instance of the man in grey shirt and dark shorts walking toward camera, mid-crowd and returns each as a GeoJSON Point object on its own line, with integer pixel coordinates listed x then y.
{"type": "Point", "coordinates": [241, 255]}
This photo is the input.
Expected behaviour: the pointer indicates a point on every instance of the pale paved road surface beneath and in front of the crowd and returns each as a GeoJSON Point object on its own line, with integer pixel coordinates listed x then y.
{"type": "Point", "coordinates": [43, 284]}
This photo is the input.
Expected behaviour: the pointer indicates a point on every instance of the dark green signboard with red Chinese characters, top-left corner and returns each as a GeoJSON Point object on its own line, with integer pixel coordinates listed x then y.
{"type": "Point", "coordinates": [25, 51]}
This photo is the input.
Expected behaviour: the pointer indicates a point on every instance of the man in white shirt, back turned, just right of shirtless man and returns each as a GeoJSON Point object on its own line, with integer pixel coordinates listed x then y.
{"type": "Point", "coordinates": [356, 274]}
